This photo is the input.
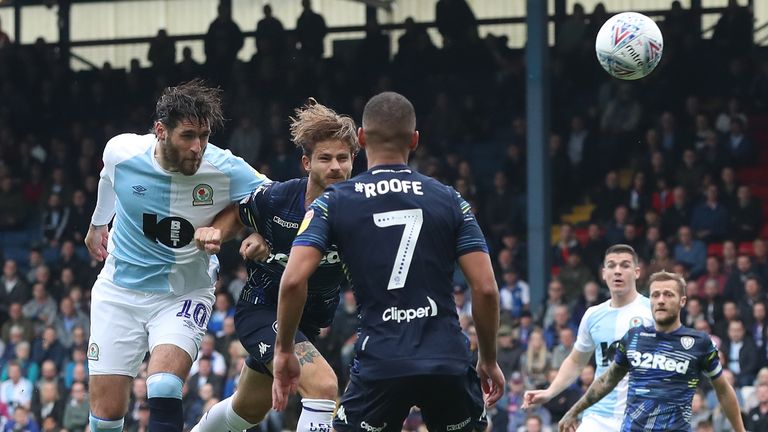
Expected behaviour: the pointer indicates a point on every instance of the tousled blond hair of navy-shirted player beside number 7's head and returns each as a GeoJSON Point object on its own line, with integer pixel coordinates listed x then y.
{"type": "Point", "coordinates": [315, 123]}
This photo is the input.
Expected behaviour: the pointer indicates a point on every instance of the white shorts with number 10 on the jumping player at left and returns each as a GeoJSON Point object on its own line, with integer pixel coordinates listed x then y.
{"type": "Point", "coordinates": [125, 324]}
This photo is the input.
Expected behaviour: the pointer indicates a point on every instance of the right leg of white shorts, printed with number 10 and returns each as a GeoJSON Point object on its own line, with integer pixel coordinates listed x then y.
{"type": "Point", "coordinates": [180, 321]}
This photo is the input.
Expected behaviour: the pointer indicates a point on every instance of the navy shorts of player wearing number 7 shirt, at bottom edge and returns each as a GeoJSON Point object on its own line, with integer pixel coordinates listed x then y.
{"type": "Point", "coordinates": [447, 403]}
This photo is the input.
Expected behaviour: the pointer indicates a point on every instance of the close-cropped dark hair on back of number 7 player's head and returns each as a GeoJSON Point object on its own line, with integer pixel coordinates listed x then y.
{"type": "Point", "coordinates": [389, 118]}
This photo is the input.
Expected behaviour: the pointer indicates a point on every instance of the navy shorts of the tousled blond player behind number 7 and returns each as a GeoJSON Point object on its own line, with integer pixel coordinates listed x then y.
{"type": "Point", "coordinates": [256, 327]}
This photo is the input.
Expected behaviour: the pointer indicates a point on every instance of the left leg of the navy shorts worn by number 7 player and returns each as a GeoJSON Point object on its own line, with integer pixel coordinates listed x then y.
{"type": "Point", "coordinates": [374, 406]}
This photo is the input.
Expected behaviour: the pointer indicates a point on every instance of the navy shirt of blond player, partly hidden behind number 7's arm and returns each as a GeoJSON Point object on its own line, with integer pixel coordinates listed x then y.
{"type": "Point", "coordinates": [275, 210]}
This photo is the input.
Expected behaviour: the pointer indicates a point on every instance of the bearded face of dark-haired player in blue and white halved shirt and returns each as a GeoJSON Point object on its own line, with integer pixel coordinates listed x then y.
{"type": "Point", "coordinates": [184, 146]}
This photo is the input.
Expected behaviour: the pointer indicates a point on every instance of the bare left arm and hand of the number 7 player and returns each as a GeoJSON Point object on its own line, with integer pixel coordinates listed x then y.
{"type": "Point", "coordinates": [302, 263]}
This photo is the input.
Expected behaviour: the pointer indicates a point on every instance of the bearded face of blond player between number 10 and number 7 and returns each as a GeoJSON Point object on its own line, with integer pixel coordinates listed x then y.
{"type": "Point", "coordinates": [331, 162]}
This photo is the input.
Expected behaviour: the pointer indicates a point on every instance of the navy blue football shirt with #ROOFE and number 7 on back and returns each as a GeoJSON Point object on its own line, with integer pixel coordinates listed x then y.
{"type": "Point", "coordinates": [399, 233]}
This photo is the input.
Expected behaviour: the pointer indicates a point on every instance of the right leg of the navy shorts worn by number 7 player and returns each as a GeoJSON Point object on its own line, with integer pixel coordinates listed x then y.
{"type": "Point", "coordinates": [453, 402]}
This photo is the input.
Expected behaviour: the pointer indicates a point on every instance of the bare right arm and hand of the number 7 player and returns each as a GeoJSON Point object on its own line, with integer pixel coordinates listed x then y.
{"type": "Point", "coordinates": [485, 313]}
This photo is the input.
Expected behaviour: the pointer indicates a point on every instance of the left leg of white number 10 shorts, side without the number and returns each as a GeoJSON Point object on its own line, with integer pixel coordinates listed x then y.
{"type": "Point", "coordinates": [118, 338]}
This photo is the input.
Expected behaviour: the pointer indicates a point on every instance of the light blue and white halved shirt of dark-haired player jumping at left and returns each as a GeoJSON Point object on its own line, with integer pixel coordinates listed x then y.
{"type": "Point", "coordinates": [151, 247]}
